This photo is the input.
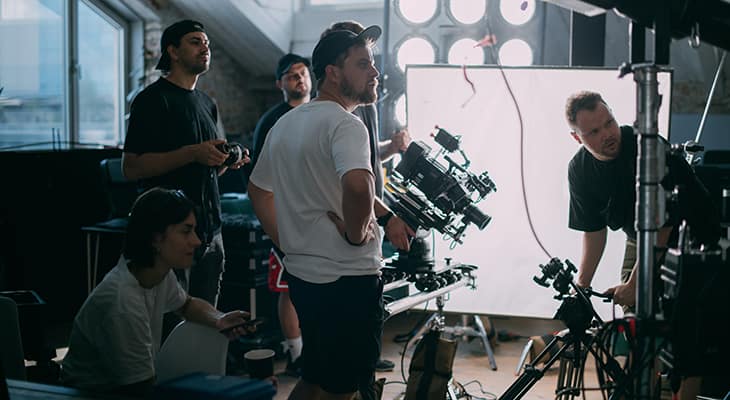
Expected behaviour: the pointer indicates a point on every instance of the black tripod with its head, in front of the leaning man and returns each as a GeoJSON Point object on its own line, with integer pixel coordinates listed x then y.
{"type": "Point", "coordinates": [574, 343]}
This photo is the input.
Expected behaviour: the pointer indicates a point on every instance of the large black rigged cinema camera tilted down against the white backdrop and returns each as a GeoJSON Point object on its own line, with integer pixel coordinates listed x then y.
{"type": "Point", "coordinates": [429, 195]}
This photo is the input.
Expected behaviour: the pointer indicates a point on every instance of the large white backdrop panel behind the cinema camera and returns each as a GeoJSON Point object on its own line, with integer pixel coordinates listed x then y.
{"type": "Point", "coordinates": [505, 251]}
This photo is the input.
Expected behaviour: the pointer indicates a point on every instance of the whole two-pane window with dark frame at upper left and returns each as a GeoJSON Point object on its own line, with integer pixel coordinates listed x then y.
{"type": "Point", "coordinates": [36, 108]}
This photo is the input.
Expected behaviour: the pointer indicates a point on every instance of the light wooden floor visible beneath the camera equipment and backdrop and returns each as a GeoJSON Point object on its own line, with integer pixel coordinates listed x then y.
{"type": "Point", "coordinates": [471, 367]}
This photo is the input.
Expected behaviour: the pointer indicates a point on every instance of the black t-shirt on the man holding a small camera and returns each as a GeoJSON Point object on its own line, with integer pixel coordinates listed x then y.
{"type": "Point", "coordinates": [165, 117]}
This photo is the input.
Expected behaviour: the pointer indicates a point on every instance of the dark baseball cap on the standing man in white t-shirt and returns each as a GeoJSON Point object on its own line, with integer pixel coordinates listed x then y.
{"type": "Point", "coordinates": [335, 43]}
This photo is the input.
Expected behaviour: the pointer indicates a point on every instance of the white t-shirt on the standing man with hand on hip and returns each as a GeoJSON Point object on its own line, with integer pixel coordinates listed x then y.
{"type": "Point", "coordinates": [302, 162]}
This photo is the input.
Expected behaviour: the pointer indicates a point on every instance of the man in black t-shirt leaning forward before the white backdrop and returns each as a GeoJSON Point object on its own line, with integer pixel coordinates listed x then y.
{"type": "Point", "coordinates": [602, 182]}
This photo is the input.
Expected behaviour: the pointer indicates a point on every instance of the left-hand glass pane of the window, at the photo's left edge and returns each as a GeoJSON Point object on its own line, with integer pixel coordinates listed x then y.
{"type": "Point", "coordinates": [31, 72]}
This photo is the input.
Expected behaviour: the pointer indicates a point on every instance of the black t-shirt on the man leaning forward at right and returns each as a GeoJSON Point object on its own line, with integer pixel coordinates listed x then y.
{"type": "Point", "coordinates": [603, 193]}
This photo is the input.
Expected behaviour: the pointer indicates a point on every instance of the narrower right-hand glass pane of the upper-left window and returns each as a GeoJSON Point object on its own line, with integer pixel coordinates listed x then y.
{"type": "Point", "coordinates": [100, 83]}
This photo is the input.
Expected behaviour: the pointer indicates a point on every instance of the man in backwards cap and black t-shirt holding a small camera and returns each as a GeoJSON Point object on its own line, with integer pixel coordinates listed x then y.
{"type": "Point", "coordinates": [172, 142]}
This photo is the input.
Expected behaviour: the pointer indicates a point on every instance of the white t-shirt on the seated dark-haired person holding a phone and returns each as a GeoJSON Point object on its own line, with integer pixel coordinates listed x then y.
{"type": "Point", "coordinates": [117, 332]}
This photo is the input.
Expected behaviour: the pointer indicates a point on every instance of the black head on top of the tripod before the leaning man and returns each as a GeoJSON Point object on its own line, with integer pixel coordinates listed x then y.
{"type": "Point", "coordinates": [576, 310]}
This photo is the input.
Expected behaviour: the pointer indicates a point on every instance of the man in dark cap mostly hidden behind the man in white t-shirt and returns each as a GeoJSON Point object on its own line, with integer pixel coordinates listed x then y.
{"type": "Point", "coordinates": [292, 78]}
